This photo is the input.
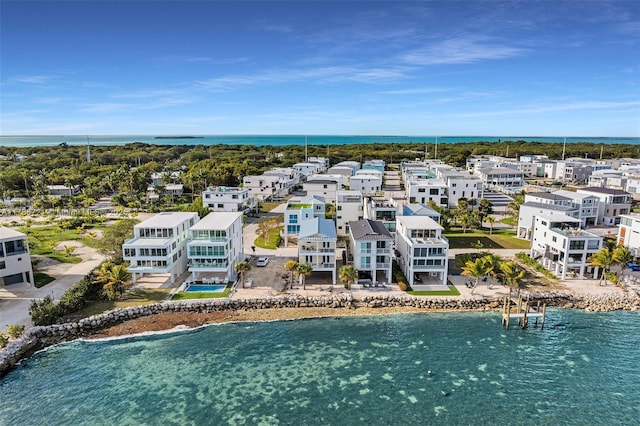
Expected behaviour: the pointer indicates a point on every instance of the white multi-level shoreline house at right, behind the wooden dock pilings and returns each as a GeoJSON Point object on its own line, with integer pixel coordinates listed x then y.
{"type": "Point", "coordinates": [563, 248]}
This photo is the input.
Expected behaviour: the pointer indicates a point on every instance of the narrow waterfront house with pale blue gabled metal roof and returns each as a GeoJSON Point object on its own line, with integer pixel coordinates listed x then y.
{"type": "Point", "coordinates": [317, 242]}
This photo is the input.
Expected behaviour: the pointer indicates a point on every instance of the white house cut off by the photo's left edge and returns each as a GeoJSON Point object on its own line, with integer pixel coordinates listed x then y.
{"type": "Point", "coordinates": [15, 260]}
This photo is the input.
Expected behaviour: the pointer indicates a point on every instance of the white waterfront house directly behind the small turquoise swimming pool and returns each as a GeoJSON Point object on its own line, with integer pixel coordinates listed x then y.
{"type": "Point", "coordinates": [215, 246]}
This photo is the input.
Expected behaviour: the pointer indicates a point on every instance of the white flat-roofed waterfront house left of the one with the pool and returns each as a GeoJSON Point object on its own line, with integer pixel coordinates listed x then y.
{"type": "Point", "coordinates": [159, 245]}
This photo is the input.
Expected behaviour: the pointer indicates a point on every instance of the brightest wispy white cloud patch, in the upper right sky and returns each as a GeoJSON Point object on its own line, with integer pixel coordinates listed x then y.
{"type": "Point", "coordinates": [461, 50]}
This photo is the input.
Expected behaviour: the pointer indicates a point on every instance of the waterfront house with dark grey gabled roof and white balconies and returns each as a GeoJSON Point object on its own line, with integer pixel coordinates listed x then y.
{"type": "Point", "coordinates": [371, 246]}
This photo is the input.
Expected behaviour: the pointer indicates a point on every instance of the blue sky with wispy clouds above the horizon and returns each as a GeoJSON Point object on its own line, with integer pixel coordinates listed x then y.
{"type": "Point", "coordinates": [513, 68]}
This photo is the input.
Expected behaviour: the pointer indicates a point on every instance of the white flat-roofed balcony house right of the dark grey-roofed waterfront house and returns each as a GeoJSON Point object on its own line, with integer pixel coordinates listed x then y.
{"type": "Point", "coordinates": [422, 250]}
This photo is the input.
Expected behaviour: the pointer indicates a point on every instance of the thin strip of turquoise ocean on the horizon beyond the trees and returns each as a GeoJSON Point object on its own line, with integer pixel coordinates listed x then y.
{"type": "Point", "coordinates": [284, 139]}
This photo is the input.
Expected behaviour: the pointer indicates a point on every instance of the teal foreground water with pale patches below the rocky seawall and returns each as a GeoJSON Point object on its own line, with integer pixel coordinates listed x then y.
{"type": "Point", "coordinates": [582, 369]}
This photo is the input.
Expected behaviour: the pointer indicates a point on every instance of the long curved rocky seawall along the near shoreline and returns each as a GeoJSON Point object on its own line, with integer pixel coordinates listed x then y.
{"type": "Point", "coordinates": [37, 338]}
